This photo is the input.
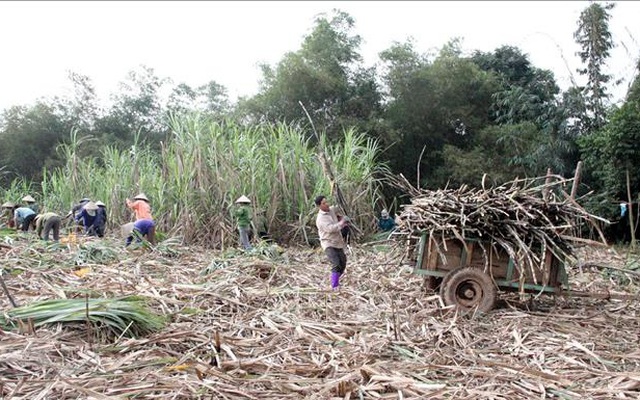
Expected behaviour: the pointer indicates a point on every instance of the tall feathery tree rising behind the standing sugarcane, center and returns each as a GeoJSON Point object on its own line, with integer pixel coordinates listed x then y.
{"type": "Point", "coordinates": [326, 74]}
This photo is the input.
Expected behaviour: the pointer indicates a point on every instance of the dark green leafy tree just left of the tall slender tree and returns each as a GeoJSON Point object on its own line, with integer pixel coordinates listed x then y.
{"type": "Point", "coordinates": [528, 106]}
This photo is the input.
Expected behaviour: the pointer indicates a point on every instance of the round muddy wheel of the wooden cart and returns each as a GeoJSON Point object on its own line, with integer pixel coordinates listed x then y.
{"type": "Point", "coordinates": [468, 288]}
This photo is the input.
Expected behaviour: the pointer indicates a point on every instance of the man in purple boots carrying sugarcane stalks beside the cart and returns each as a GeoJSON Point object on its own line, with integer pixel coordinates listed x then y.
{"type": "Point", "coordinates": [330, 238]}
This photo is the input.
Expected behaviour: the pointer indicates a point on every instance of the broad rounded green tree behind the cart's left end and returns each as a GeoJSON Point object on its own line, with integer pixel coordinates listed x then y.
{"type": "Point", "coordinates": [432, 104]}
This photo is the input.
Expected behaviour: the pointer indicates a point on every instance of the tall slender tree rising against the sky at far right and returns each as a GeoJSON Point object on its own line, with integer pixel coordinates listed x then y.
{"type": "Point", "coordinates": [595, 40]}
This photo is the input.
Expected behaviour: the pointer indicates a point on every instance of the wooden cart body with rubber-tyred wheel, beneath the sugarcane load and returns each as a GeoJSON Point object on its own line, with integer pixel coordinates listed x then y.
{"type": "Point", "coordinates": [470, 272]}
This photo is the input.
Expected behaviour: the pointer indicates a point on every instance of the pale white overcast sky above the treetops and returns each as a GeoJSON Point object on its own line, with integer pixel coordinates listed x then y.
{"type": "Point", "coordinates": [198, 41]}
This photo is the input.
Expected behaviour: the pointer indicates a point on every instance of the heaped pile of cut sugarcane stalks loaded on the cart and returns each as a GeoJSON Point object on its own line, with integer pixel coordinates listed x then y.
{"type": "Point", "coordinates": [525, 217]}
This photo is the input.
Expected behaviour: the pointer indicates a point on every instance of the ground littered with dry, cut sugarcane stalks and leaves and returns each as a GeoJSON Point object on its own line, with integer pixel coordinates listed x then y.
{"type": "Point", "coordinates": [266, 326]}
